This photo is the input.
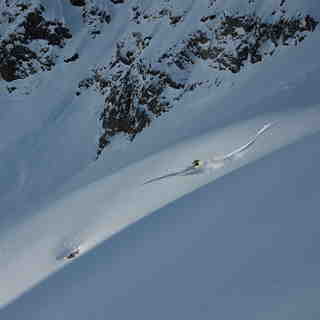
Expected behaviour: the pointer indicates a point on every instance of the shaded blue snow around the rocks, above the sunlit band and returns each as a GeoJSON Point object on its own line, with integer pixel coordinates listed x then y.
{"type": "Point", "coordinates": [52, 130]}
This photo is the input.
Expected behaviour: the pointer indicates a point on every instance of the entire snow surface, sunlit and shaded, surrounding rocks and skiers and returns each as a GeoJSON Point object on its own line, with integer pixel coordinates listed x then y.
{"type": "Point", "coordinates": [235, 239]}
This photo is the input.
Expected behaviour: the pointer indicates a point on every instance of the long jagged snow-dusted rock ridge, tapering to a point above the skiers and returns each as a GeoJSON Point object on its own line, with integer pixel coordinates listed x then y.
{"type": "Point", "coordinates": [136, 90]}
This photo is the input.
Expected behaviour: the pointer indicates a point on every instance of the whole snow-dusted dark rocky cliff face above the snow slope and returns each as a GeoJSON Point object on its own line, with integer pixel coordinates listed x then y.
{"type": "Point", "coordinates": [137, 86]}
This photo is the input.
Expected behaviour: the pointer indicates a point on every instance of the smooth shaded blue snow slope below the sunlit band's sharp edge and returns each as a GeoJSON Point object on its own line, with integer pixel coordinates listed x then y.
{"type": "Point", "coordinates": [245, 245]}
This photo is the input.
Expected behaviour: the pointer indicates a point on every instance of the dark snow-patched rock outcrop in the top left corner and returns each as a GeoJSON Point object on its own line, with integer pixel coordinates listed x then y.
{"type": "Point", "coordinates": [18, 58]}
